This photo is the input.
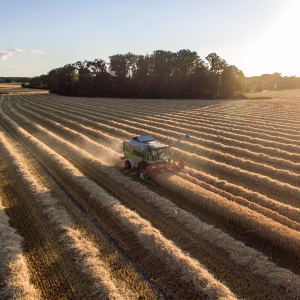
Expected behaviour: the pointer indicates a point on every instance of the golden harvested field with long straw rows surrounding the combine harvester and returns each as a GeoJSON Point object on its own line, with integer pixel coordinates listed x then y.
{"type": "Point", "coordinates": [76, 224]}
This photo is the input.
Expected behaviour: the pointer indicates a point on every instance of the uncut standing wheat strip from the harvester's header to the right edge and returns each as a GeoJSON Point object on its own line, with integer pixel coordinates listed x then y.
{"type": "Point", "coordinates": [265, 227]}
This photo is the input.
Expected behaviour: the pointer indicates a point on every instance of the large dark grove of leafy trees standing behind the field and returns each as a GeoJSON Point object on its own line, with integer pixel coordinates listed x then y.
{"type": "Point", "coordinates": [162, 74]}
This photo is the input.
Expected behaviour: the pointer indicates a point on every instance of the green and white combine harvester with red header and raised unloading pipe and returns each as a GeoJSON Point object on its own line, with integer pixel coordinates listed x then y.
{"type": "Point", "coordinates": [148, 155]}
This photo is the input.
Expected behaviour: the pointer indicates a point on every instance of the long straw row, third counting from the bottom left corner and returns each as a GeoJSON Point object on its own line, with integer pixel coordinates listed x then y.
{"type": "Point", "coordinates": [189, 269]}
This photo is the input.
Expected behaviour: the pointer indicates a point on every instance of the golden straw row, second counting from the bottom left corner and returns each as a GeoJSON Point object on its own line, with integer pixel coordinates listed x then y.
{"type": "Point", "coordinates": [85, 252]}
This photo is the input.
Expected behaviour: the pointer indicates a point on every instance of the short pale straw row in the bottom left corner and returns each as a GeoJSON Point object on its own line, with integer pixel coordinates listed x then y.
{"type": "Point", "coordinates": [15, 278]}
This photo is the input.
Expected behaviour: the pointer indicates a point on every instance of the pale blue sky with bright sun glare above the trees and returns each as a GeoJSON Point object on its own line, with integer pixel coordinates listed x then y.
{"type": "Point", "coordinates": [257, 36]}
